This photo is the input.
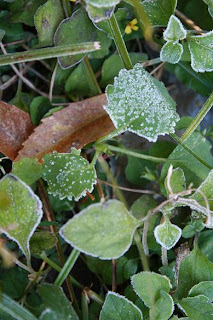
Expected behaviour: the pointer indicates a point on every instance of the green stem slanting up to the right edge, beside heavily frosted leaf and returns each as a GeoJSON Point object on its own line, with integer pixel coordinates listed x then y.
{"type": "Point", "coordinates": [199, 117]}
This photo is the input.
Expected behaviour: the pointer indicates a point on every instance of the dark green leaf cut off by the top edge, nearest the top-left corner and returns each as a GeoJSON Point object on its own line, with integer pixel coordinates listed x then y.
{"type": "Point", "coordinates": [23, 11]}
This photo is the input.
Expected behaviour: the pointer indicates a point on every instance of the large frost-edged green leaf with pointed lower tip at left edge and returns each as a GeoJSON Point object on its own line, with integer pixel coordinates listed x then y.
{"type": "Point", "coordinates": [21, 216]}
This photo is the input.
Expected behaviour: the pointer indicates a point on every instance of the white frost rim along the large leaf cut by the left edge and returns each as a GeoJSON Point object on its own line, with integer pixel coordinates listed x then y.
{"type": "Point", "coordinates": [39, 213]}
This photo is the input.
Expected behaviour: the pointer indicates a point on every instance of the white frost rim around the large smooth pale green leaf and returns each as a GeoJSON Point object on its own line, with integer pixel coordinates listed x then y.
{"type": "Point", "coordinates": [89, 253]}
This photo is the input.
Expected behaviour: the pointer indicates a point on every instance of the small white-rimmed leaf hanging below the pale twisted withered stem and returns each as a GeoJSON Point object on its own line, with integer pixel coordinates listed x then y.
{"type": "Point", "coordinates": [167, 234]}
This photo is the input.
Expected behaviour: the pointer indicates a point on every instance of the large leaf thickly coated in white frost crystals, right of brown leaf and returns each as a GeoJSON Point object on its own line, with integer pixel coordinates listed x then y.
{"type": "Point", "coordinates": [139, 103]}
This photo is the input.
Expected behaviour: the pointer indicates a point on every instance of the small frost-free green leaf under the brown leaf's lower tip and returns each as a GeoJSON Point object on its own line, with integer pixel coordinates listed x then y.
{"type": "Point", "coordinates": [28, 170]}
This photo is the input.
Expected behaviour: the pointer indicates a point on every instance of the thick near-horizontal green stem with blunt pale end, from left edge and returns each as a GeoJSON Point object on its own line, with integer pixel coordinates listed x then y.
{"type": "Point", "coordinates": [48, 53]}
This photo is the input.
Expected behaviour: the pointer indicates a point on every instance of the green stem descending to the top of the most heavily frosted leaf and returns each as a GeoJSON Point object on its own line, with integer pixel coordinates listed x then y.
{"type": "Point", "coordinates": [120, 44]}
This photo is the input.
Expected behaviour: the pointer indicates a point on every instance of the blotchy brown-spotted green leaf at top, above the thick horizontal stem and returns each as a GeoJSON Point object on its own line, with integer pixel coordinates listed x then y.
{"type": "Point", "coordinates": [47, 19]}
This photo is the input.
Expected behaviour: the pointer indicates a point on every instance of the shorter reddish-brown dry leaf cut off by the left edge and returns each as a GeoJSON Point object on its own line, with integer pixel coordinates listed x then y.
{"type": "Point", "coordinates": [15, 127]}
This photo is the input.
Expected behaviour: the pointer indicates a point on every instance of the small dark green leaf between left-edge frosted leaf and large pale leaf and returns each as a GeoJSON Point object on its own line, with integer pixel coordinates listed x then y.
{"type": "Point", "coordinates": [42, 241]}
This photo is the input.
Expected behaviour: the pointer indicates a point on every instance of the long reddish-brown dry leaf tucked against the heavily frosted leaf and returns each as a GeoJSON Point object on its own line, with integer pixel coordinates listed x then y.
{"type": "Point", "coordinates": [74, 126]}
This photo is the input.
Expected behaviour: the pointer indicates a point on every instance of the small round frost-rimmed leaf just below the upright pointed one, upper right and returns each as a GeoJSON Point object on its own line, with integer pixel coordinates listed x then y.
{"type": "Point", "coordinates": [171, 52]}
